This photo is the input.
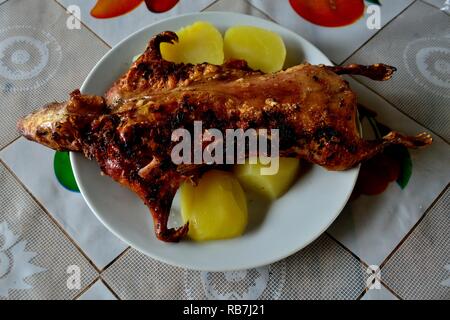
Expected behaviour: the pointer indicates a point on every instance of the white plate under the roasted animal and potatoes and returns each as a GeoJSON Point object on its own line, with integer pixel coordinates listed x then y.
{"type": "Point", "coordinates": [290, 223]}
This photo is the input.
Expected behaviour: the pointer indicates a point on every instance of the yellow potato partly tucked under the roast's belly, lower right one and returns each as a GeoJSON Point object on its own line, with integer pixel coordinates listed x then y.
{"type": "Point", "coordinates": [270, 186]}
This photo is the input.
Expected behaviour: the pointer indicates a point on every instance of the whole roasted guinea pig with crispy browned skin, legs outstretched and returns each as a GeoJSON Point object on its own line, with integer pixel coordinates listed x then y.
{"type": "Point", "coordinates": [129, 131]}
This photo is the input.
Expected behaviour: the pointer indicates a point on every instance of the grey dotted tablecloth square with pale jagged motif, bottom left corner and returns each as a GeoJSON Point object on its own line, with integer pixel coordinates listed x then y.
{"type": "Point", "coordinates": [35, 231]}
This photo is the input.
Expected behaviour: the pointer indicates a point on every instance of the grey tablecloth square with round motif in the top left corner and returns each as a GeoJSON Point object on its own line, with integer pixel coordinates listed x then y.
{"type": "Point", "coordinates": [61, 68]}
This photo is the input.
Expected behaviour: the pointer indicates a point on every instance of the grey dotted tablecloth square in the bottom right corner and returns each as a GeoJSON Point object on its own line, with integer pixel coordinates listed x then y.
{"type": "Point", "coordinates": [419, 270]}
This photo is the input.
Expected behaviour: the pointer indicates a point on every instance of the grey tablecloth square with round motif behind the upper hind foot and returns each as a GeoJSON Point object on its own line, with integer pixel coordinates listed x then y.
{"type": "Point", "coordinates": [416, 48]}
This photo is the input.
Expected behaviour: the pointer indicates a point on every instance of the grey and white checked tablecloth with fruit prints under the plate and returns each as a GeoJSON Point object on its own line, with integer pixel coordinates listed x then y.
{"type": "Point", "coordinates": [400, 238]}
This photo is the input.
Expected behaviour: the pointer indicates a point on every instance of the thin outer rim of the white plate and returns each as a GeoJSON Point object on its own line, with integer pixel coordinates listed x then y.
{"type": "Point", "coordinates": [75, 157]}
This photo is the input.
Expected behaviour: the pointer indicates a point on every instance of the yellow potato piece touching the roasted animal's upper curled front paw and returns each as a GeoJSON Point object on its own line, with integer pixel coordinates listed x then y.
{"type": "Point", "coordinates": [198, 43]}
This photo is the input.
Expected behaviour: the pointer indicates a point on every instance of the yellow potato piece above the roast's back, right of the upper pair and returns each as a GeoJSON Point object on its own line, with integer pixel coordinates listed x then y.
{"type": "Point", "coordinates": [262, 49]}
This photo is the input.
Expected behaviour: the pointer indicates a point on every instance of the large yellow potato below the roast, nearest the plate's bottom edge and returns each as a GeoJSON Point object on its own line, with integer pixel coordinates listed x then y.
{"type": "Point", "coordinates": [215, 209]}
